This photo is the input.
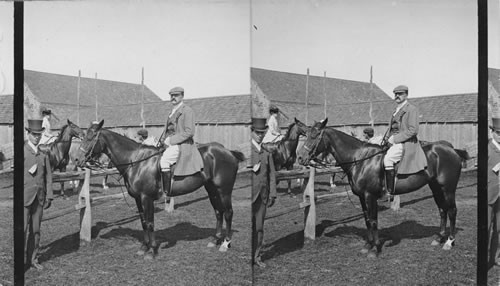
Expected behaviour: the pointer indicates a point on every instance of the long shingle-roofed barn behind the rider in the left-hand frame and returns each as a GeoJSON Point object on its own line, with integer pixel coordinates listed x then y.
{"type": "Point", "coordinates": [223, 119]}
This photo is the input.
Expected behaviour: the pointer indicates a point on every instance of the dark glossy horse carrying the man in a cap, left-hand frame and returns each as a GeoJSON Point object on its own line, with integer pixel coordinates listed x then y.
{"type": "Point", "coordinates": [138, 164]}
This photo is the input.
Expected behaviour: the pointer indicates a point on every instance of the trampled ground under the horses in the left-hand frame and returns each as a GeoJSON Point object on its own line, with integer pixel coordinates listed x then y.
{"type": "Point", "coordinates": [110, 259]}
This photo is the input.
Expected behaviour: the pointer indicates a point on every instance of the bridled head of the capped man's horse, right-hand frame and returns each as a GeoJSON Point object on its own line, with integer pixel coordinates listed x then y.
{"type": "Point", "coordinates": [312, 146]}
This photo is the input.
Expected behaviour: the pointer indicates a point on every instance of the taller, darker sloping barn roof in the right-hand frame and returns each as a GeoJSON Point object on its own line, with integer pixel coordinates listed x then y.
{"type": "Point", "coordinates": [284, 86]}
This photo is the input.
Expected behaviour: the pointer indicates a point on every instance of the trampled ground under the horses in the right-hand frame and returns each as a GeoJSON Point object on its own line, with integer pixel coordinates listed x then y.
{"type": "Point", "coordinates": [334, 258]}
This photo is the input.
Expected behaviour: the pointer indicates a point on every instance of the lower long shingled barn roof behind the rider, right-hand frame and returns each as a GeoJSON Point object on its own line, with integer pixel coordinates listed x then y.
{"type": "Point", "coordinates": [443, 109]}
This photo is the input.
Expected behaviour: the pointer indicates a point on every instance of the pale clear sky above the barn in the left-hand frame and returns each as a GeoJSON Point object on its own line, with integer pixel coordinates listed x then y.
{"type": "Point", "coordinates": [203, 46]}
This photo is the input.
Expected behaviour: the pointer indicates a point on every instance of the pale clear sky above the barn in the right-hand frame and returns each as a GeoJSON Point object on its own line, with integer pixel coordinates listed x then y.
{"type": "Point", "coordinates": [430, 46]}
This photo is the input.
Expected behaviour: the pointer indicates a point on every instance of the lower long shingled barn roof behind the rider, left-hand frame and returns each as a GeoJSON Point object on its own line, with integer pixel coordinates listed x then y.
{"type": "Point", "coordinates": [234, 109]}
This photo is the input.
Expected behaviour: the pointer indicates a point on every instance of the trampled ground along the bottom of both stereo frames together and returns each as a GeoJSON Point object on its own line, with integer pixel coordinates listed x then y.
{"type": "Point", "coordinates": [334, 258]}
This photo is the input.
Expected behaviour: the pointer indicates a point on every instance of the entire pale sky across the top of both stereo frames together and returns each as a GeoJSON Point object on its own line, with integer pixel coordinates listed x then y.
{"type": "Point", "coordinates": [429, 45]}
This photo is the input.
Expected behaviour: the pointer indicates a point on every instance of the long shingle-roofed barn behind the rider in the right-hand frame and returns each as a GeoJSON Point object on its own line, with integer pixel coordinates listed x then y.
{"type": "Point", "coordinates": [352, 106]}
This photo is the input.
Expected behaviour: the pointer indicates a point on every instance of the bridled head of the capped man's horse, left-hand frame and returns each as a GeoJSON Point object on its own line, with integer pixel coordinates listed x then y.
{"type": "Point", "coordinates": [91, 146]}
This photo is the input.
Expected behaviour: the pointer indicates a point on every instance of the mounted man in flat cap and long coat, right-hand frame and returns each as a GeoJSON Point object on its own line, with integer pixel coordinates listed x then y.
{"type": "Point", "coordinates": [402, 139]}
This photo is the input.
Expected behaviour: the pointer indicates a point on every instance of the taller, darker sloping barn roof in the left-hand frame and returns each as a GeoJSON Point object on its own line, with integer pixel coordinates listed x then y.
{"type": "Point", "coordinates": [62, 89]}
